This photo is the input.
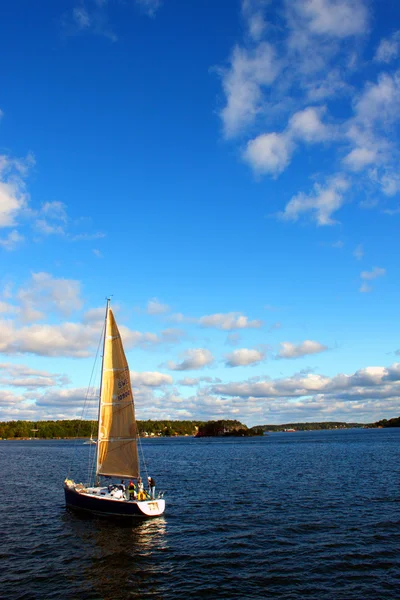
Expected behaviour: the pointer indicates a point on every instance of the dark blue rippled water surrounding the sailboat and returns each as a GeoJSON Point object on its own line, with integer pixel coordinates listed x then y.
{"type": "Point", "coordinates": [311, 515]}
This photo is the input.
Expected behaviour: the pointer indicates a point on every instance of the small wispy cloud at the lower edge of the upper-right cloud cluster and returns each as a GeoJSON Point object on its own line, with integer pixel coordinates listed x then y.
{"type": "Point", "coordinates": [321, 203]}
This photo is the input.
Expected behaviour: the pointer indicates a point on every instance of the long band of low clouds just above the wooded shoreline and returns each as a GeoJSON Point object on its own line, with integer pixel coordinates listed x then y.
{"type": "Point", "coordinates": [370, 393]}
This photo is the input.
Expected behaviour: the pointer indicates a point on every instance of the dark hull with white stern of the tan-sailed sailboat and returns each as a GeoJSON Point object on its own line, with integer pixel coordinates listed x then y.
{"type": "Point", "coordinates": [107, 507]}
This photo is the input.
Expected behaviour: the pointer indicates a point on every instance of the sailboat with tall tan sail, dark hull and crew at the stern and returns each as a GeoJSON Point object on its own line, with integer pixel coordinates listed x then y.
{"type": "Point", "coordinates": [117, 442]}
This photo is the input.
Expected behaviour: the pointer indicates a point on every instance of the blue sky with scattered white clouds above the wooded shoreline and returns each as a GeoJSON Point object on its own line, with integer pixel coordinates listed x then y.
{"type": "Point", "coordinates": [227, 172]}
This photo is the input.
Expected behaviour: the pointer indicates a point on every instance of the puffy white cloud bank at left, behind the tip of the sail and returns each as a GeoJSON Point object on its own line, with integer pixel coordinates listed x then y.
{"type": "Point", "coordinates": [45, 295]}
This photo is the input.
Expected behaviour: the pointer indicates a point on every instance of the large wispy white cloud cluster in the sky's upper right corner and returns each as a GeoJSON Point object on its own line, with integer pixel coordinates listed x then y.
{"type": "Point", "coordinates": [274, 86]}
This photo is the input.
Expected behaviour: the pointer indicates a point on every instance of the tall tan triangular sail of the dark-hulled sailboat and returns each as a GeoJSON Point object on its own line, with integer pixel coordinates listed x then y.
{"type": "Point", "coordinates": [117, 441]}
